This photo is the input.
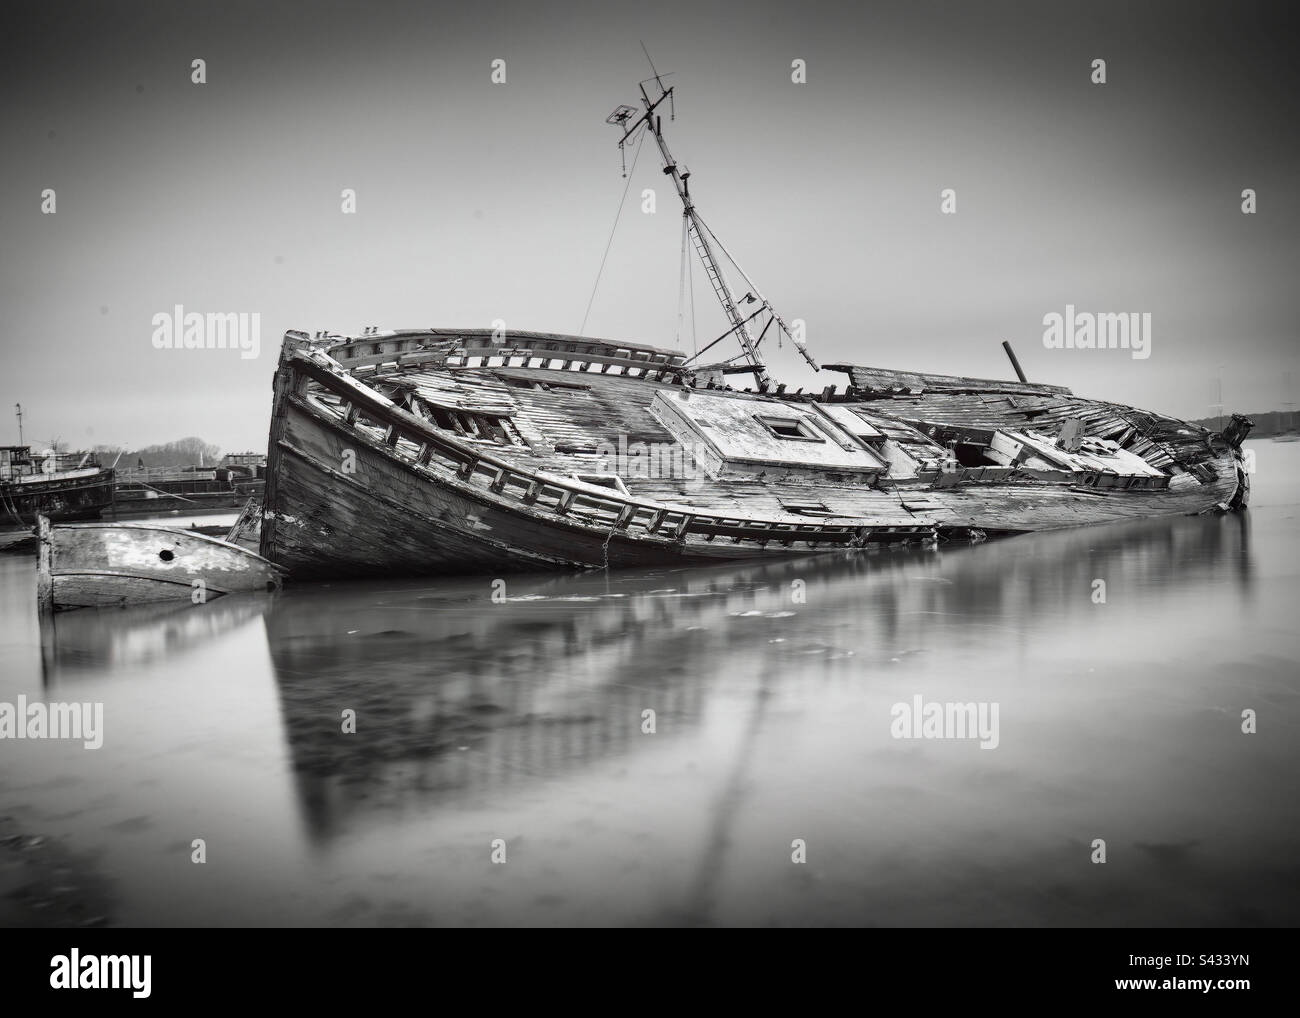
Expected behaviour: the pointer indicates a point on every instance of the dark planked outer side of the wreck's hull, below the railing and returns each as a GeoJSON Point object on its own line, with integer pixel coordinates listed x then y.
{"type": "Point", "coordinates": [395, 518]}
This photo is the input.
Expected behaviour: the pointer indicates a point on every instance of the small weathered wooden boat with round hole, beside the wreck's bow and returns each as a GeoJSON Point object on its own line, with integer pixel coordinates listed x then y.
{"type": "Point", "coordinates": [115, 565]}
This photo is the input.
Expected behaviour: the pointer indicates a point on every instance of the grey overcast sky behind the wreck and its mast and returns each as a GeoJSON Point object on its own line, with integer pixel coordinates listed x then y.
{"type": "Point", "coordinates": [480, 201]}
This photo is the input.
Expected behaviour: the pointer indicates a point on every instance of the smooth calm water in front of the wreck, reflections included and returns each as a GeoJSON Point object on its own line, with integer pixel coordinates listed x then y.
{"type": "Point", "coordinates": [523, 722]}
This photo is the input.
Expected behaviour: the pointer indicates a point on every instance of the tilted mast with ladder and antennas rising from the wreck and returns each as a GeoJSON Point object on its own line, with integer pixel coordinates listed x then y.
{"type": "Point", "coordinates": [701, 236]}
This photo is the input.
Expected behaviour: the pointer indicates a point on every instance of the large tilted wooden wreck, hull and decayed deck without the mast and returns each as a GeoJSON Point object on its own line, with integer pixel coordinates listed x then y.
{"type": "Point", "coordinates": [470, 460]}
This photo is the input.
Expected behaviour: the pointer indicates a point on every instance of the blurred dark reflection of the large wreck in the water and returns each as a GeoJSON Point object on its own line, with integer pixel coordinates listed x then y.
{"type": "Point", "coordinates": [457, 698]}
